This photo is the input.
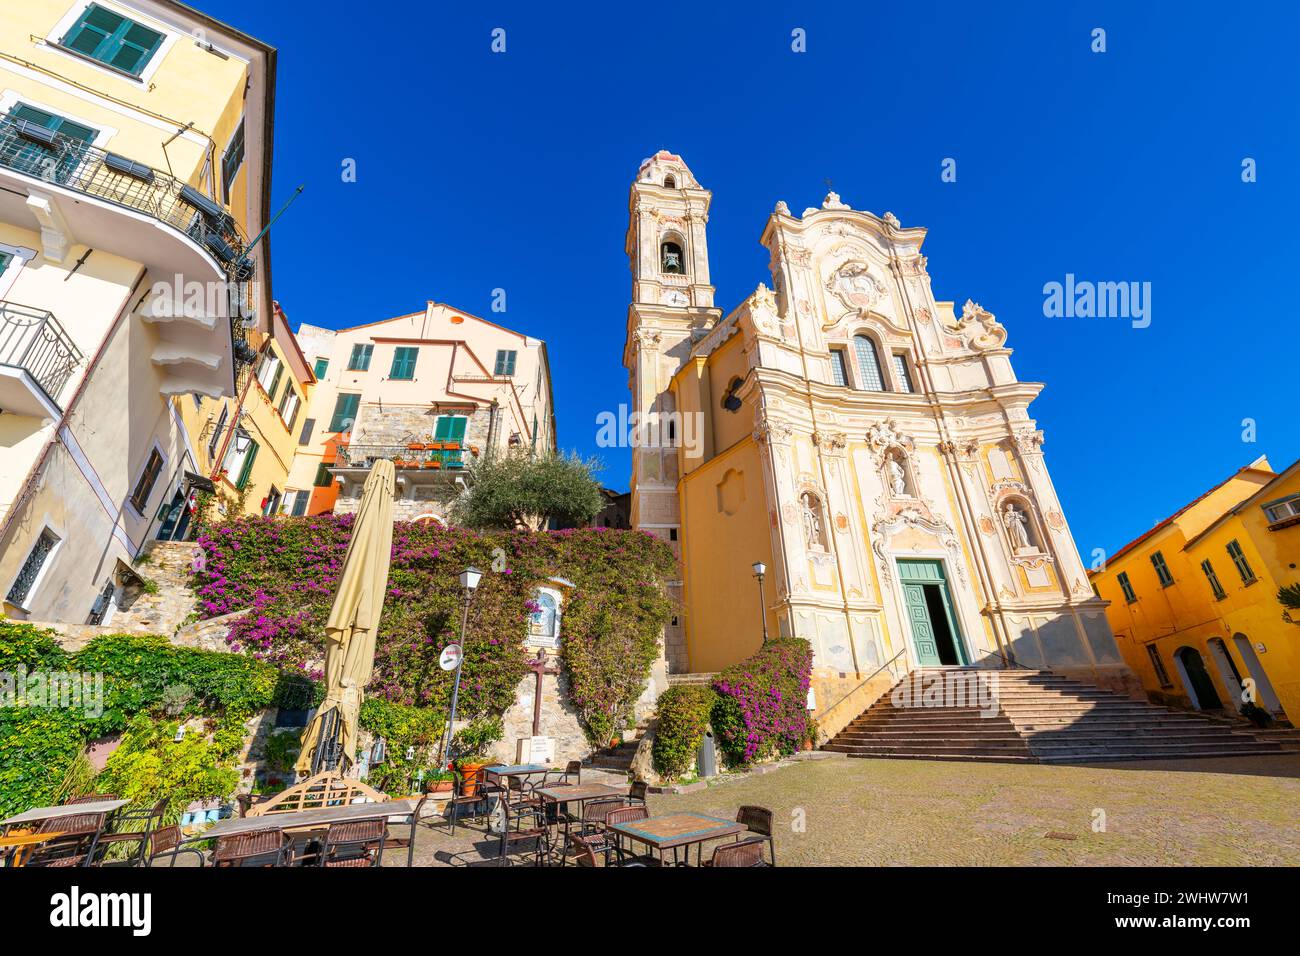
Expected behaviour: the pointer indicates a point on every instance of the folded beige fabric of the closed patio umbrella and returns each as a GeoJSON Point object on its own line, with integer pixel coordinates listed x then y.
{"type": "Point", "coordinates": [356, 616]}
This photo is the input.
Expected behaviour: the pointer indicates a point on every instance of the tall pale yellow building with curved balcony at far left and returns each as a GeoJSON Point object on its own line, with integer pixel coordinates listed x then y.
{"type": "Point", "coordinates": [135, 174]}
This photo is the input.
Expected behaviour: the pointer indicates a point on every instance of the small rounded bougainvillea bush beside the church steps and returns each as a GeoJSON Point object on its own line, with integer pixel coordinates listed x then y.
{"type": "Point", "coordinates": [762, 703]}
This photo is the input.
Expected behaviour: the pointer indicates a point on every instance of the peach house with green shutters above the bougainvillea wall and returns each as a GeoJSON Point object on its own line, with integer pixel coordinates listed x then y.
{"type": "Point", "coordinates": [432, 391]}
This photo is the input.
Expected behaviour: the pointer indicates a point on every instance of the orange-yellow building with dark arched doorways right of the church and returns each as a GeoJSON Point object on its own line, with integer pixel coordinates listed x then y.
{"type": "Point", "coordinates": [1194, 602]}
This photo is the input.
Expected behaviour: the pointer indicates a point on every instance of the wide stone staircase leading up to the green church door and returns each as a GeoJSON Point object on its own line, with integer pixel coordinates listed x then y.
{"type": "Point", "coordinates": [1037, 717]}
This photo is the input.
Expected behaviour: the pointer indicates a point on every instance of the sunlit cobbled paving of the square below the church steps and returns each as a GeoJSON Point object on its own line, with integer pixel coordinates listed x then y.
{"type": "Point", "coordinates": [1234, 812]}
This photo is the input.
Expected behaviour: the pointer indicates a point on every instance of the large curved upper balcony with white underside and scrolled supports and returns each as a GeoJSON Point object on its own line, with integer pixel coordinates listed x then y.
{"type": "Point", "coordinates": [75, 193]}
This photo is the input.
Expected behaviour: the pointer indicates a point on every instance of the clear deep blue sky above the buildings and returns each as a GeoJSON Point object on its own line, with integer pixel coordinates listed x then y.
{"type": "Point", "coordinates": [480, 171]}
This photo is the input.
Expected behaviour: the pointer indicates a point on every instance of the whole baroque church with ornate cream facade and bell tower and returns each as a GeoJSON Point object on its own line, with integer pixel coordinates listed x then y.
{"type": "Point", "coordinates": [865, 443]}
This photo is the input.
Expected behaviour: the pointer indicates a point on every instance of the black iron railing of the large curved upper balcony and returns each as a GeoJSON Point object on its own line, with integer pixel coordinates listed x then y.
{"type": "Point", "coordinates": [68, 162]}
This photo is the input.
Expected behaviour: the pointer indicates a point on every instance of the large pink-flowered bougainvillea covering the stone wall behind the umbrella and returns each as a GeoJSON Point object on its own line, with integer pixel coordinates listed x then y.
{"type": "Point", "coordinates": [284, 570]}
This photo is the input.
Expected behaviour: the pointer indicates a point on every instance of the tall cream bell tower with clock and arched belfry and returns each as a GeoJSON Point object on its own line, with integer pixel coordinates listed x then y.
{"type": "Point", "coordinates": [673, 306]}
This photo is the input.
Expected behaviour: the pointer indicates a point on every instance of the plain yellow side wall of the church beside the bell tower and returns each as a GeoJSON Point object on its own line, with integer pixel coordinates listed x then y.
{"type": "Point", "coordinates": [725, 504]}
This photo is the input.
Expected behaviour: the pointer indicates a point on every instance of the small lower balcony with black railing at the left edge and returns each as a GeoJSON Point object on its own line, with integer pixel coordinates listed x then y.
{"type": "Point", "coordinates": [37, 360]}
